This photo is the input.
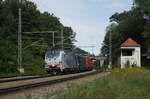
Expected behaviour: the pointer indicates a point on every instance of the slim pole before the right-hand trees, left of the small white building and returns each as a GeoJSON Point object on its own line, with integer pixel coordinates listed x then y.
{"type": "Point", "coordinates": [110, 51]}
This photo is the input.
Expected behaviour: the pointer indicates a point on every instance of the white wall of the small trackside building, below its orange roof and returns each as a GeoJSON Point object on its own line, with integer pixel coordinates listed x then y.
{"type": "Point", "coordinates": [135, 58]}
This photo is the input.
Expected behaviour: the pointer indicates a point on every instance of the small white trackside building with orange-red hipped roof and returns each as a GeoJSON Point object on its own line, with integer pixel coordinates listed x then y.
{"type": "Point", "coordinates": [130, 54]}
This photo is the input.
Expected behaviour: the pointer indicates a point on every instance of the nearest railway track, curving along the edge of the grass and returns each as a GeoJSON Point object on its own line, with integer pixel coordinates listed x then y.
{"type": "Point", "coordinates": [55, 80]}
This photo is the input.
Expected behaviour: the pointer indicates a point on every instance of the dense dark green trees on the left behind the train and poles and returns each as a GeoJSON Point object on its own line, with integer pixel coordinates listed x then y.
{"type": "Point", "coordinates": [32, 20]}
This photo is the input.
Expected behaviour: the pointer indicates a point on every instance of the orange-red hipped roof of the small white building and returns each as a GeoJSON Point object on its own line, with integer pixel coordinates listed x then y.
{"type": "Point", "coordinates": [130, 43]}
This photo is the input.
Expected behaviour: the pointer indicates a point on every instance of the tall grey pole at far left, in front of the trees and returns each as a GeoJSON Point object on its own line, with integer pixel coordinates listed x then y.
{"type": "Point", "coordinates": [20, 68]}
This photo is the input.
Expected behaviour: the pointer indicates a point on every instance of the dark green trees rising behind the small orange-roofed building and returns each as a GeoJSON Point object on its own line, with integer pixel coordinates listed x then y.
{"type": "Point", "coordinates": [134, 23]}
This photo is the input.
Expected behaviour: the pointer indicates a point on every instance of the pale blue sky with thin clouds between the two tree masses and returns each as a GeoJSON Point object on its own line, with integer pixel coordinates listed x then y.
{"type": "Point", "coordinates": [88, 18]}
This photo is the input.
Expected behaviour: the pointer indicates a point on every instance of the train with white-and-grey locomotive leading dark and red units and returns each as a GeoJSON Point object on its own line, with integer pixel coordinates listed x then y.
{"type": "Point", "coordinates": [66, 61]}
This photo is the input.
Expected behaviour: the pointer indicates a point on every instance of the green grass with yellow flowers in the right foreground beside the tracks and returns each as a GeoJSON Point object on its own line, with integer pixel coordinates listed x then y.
{"type": "Point", "coordinates": [120, 84]}
